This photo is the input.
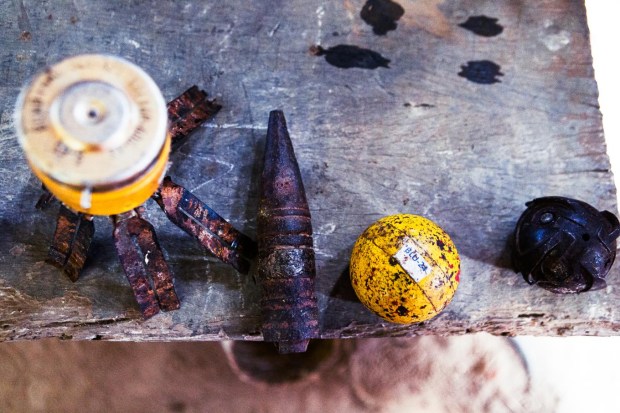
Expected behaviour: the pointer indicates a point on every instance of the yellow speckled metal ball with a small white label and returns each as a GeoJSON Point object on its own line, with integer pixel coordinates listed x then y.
{"type": "Point", "coordinates": [405, 268]}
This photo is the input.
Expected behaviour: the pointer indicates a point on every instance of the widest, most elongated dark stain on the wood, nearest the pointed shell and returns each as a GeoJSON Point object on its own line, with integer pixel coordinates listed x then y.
{"type": "Point", "coordinates": [347, 56]}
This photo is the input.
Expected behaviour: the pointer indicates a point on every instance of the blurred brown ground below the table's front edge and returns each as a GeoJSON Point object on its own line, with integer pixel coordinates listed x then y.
{"type": "Point", "coordinates": [478, 373]}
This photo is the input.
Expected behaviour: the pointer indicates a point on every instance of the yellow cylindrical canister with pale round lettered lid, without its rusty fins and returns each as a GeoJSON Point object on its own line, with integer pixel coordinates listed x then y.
{"type": "Point", "coordinates": [94, 131]}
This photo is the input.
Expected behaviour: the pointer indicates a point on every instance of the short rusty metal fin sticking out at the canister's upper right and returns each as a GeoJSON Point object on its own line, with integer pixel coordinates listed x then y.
{"type": "Point", "coordinates": [188, 111]}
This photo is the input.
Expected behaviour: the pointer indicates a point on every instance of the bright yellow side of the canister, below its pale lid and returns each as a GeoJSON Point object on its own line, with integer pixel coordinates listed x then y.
{"type": "Point", "coordinates": [112, 201]}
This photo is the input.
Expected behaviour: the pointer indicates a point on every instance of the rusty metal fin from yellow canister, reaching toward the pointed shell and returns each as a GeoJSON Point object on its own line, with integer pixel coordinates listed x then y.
{"type": "Point", "coordinates": [197, 219]}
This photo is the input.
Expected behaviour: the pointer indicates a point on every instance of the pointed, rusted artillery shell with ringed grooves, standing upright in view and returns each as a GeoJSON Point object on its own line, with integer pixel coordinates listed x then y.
{"type": "Point", "coordinates": [285, 250]}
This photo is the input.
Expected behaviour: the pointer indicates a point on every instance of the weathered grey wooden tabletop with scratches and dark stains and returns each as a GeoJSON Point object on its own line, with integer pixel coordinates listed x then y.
{"type": "Point", "coordinates": [463, 125]}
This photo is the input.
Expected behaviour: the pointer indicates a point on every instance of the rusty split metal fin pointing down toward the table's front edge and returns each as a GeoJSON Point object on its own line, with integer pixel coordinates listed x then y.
{"type": "Point", "coordinates": [142, 258]}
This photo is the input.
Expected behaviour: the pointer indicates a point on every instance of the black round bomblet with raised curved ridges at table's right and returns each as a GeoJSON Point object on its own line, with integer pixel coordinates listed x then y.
{"type": "Point", "coordinates": [565, 245]}
